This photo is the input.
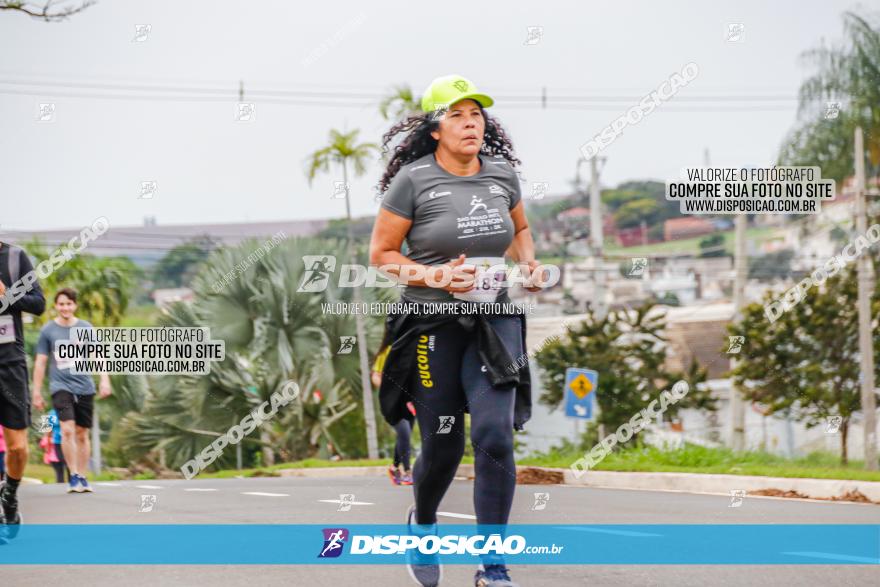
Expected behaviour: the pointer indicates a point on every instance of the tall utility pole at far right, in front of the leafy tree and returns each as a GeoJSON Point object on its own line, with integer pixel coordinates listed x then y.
{"type": "Point", "coordinates": [865, 281]}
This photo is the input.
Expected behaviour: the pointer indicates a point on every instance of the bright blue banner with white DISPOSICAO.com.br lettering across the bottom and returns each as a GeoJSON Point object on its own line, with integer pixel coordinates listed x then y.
{"type": "Point", "coordinates": [521, 544]}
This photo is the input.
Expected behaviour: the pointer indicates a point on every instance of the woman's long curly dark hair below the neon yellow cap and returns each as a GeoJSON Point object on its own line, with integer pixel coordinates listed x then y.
{"type": "Point", "coordinates": [418, 142]}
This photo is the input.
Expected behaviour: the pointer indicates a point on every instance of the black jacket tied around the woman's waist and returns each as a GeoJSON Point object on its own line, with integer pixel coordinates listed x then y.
{"type": "Point", "coordinates": [403, 330]}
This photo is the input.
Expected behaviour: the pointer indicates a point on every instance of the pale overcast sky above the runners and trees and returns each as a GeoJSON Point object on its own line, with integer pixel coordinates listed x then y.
{"type": "Point", "coordinates": [161, 107]}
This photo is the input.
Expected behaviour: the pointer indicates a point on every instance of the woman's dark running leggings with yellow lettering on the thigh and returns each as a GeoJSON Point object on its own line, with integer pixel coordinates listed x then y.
{"type": "Point", "coordinates": [449, 377]}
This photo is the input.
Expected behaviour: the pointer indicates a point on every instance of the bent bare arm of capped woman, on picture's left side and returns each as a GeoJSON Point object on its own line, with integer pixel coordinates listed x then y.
{"type": "Point", "coordinates": [388, 234]}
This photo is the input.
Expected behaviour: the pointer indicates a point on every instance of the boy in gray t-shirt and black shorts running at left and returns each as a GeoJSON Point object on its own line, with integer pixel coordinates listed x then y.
{"type": "Point", "coordinates": [72, 395]}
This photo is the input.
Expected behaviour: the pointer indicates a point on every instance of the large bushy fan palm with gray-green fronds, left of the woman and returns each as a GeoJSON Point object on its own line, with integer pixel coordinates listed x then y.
{"type": "Point", "coordinates": [273, 334]}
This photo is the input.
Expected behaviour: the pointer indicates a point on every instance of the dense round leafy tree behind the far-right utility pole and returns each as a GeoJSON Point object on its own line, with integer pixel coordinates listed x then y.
{"type": "Point", "coordinates": [807, 360]}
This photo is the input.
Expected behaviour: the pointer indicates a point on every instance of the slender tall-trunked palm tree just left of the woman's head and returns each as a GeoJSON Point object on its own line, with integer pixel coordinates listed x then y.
{"type": "Point", "coordinates": [343, 150]}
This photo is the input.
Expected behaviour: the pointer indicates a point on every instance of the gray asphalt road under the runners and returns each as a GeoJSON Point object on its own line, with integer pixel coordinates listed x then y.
{"type": "Point", "coordinates": [291, 500]}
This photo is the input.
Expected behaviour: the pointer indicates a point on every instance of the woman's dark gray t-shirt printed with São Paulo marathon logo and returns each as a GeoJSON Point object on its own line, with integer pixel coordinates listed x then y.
{"type": "Point", "coordinates": [453, 215]}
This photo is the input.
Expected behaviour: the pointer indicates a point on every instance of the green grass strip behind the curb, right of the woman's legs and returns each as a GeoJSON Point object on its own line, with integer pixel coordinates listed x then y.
{"type": "Point", "coordinates": [698, 459]}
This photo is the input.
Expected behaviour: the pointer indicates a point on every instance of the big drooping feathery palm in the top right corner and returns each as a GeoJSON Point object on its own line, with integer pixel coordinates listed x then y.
{"type": "Point", "coordinates": [847, 74]}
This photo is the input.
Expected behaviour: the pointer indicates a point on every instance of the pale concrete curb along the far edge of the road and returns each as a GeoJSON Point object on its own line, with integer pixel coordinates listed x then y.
{"type": "Point", "coordinates": [687, 482]}
